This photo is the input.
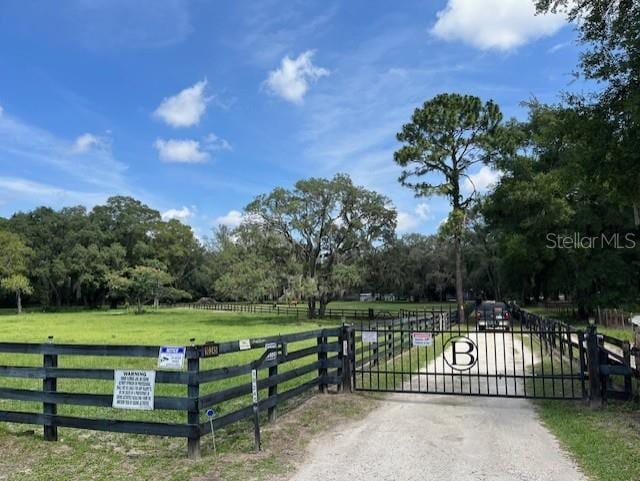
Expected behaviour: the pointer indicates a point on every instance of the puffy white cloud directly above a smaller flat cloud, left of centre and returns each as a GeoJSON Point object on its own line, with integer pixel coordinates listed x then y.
{"type": "Point", "coordinates": [185, 108]}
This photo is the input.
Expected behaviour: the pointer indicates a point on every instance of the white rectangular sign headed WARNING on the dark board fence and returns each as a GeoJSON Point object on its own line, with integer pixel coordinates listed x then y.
{"type": "Point", "coordinates": [134, 390]}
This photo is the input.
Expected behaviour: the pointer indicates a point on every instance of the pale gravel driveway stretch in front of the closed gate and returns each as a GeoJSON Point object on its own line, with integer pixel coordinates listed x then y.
{"type": "Point", "coordinates": [441, 437]}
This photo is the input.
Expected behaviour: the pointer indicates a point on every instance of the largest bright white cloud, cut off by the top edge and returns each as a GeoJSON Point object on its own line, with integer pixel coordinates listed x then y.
{"type": "Point", "coordinates": [495, 24]}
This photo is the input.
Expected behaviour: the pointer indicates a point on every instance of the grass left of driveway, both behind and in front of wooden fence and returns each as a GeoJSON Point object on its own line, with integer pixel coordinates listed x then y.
{"type": "Point", "coordinates": [84, 455]}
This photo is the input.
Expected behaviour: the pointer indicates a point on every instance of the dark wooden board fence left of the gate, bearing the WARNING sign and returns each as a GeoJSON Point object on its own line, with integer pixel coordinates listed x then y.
{"type": "Point", "coordinates": [324, 346]}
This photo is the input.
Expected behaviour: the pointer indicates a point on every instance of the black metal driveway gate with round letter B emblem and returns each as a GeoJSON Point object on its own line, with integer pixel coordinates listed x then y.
{"type": "Point", "coordinates": [525, 356]}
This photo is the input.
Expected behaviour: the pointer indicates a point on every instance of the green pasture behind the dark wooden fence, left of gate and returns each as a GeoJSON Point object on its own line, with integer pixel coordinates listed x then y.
{"type": "Point", "coordinates": [162, 327]}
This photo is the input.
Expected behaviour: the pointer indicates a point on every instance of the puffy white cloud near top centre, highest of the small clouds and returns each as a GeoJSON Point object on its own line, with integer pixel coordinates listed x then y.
{"type": "Point", "coordinates": [291, 81]}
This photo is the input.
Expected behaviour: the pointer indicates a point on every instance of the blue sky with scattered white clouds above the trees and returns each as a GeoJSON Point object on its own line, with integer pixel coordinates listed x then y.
{"type": "Point", "coordinates": [195, 107]}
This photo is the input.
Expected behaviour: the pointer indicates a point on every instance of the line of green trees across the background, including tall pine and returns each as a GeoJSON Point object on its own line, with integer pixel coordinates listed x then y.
{"type": "Point", "coordinates": [570, 171]}
